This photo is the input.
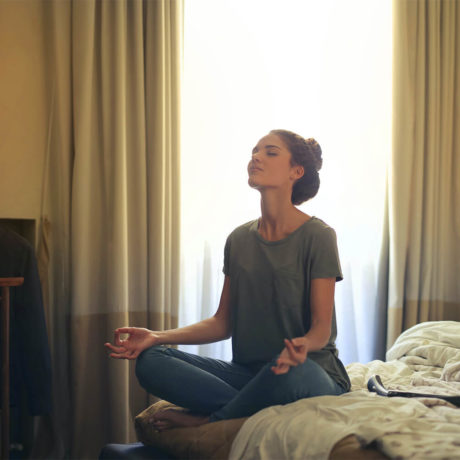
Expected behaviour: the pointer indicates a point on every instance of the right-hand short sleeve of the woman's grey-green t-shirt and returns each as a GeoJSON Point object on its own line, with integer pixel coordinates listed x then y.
{"type": "Point", "coordinates": [325, 262]}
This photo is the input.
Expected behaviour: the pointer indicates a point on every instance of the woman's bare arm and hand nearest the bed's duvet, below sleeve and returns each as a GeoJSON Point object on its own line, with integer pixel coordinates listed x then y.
{"type": "Point", "coordinates": [322, 305]}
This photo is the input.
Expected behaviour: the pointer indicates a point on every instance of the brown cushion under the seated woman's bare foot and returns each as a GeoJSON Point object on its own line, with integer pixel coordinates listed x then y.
{"type": "Point", "coordinates": [209, 441]}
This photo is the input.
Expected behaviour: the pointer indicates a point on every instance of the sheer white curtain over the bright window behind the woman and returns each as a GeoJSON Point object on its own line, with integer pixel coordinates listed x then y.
{"type": "Point", "coordinates": [322, 69]}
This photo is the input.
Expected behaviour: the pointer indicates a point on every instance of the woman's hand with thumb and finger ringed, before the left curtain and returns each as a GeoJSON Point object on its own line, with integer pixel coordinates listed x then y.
{"type": "Point", "coordinates": [137, 341]}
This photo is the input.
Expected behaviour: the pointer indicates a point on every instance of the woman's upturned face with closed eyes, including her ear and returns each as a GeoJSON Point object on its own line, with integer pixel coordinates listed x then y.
{"type": "Point", "coordinates": [270, 165]}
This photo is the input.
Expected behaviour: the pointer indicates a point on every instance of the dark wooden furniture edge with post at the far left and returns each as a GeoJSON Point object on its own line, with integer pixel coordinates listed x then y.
{"type": "Point", "coordinates": [5, 284]}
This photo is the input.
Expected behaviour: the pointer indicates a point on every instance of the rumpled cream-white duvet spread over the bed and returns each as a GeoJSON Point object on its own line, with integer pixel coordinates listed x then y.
{"type": "Point", "coordinates": [425, 358]}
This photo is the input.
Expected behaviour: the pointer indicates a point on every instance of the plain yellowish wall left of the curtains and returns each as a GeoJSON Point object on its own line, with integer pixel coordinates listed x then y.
{"type": "Point", "coordinates": [23, 108]}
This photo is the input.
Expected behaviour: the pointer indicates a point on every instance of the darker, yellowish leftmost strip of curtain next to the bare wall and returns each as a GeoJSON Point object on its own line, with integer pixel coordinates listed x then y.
{"type": "Point", "coordinates": [52, 434]}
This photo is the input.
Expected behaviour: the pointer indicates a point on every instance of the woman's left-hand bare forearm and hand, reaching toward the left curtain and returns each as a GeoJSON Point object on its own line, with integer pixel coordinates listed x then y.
{"type": "Point", "coordinates": [213, 329]}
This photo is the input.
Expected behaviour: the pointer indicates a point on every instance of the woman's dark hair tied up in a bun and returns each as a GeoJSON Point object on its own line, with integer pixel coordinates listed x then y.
{"type": "Point", "coordinates": [306, 153]}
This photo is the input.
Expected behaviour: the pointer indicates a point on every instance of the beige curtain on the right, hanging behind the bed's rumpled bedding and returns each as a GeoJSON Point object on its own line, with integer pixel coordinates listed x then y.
{"type": "Point", "coordinates": [424, 214]}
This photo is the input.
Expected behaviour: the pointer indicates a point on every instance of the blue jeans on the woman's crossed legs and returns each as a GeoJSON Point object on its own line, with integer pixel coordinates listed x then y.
{"type": "Point", "coordinates": [225, 390]}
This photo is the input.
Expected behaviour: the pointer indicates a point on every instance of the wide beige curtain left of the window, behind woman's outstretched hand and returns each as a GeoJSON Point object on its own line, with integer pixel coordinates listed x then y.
{"type": "Point", "coordinates": [112, 202]}
